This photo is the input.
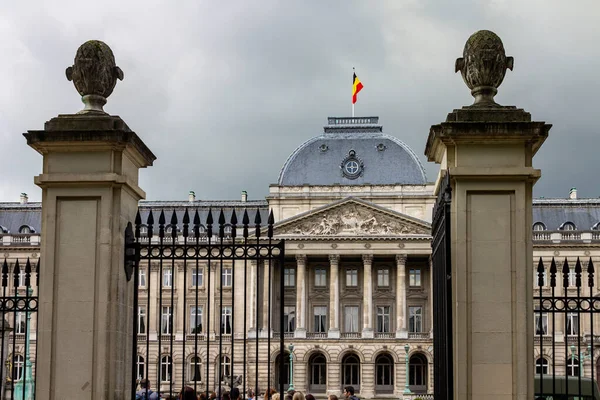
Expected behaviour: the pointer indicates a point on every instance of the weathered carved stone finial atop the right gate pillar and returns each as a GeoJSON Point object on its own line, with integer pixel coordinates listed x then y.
{"type": "Point", "coordinates": [483, 66]}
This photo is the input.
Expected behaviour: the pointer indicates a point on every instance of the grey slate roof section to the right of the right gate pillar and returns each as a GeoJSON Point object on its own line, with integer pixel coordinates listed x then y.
{"type": "Point", "coordinates": [584, 213]}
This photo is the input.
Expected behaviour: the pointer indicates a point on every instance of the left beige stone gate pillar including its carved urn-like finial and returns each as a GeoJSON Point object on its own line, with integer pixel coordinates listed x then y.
{"type": "Point", "coordinates": [90, 191]}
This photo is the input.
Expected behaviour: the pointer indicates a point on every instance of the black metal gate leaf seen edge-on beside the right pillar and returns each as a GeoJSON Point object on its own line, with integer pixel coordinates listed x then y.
{"type": "Point", "coordinates": [442, 294]}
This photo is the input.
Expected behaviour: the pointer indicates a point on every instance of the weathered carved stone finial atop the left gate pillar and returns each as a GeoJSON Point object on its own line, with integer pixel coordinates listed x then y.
{"type": "Point", "coordinates": [94, 75]}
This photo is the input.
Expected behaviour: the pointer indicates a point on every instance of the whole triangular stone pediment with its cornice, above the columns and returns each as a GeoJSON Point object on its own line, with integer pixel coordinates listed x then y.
{"type": "Point", "coordinates": [352, 217]}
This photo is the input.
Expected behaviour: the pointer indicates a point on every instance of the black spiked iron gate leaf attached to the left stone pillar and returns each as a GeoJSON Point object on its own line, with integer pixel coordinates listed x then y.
{"type": "Point", "coordinates": [193, 299]}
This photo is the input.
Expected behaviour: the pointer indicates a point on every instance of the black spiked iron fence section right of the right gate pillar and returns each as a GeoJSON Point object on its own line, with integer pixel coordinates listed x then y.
{"type": "Point", "coordinates": [566, 307]}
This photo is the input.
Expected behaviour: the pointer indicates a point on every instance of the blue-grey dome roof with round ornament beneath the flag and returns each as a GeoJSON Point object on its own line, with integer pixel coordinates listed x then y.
{"type": "Point", "coordinates": [352, 151]}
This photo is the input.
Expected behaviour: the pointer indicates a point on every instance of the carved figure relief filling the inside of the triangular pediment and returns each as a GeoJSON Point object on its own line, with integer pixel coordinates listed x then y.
{"type": "Point", "coordinates": [351, 220]}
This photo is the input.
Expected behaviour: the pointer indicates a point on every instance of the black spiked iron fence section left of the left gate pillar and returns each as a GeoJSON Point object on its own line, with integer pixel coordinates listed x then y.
{"type": "Point", "coordinates": [18, 327]}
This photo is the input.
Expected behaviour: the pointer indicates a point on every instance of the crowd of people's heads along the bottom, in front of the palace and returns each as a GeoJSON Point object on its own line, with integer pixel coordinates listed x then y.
{"type": "Point", "coordinates": [188, 393]}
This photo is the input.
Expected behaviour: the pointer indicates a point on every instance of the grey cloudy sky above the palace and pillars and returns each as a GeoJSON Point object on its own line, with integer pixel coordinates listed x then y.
{"type": "Point", "coordinates": [223, 91]}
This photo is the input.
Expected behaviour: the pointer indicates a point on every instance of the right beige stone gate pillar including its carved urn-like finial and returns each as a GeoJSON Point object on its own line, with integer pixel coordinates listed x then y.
{"type": "Point", "coordinates": [487, 150]}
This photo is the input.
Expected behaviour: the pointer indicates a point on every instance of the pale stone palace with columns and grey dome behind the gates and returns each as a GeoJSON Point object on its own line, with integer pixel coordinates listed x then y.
{"type": "Point", "coordinates": [355, 208]}
